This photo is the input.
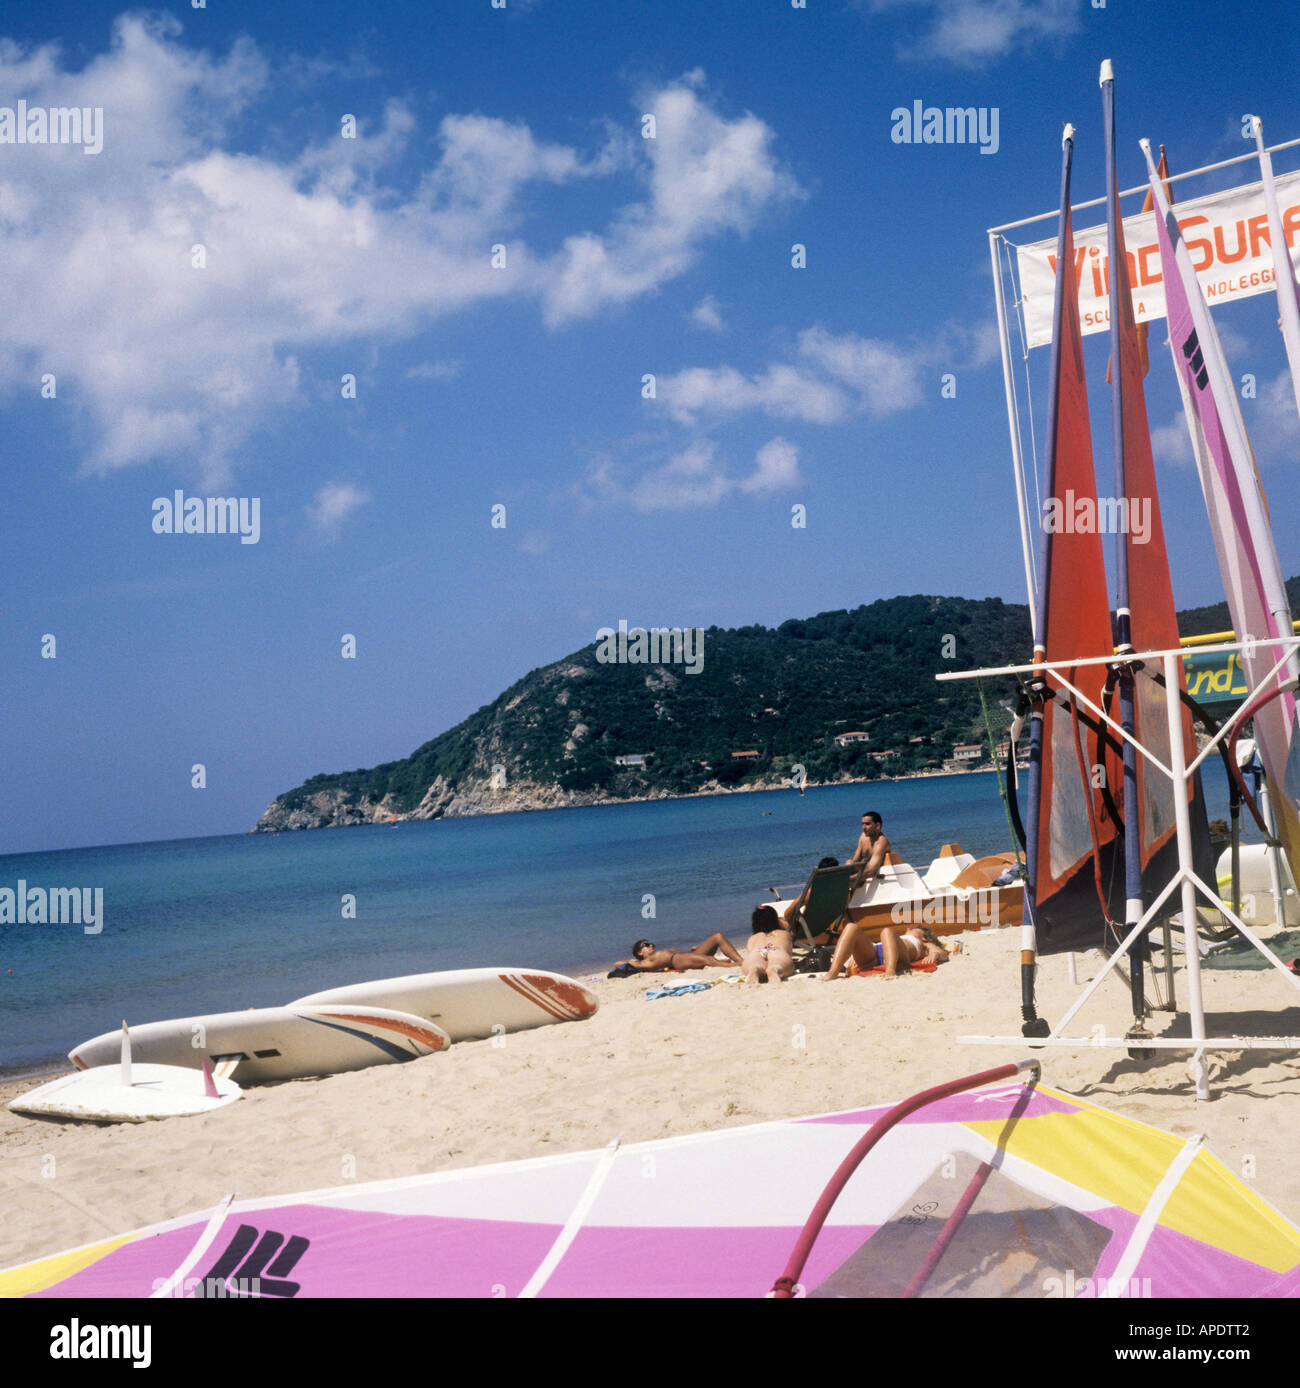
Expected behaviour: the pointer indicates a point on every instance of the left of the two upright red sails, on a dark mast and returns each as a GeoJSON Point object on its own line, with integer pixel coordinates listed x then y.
{"type": "Point", "coordinates": [1066, 814]}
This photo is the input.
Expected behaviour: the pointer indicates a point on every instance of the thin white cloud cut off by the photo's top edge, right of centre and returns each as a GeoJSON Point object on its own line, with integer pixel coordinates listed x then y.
{"type": "Point", "coordinates": [973, 33]}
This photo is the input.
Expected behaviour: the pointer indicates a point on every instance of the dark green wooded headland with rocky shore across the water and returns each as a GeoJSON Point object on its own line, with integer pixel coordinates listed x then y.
{"type": "Point", "coordinates": [778, 696]}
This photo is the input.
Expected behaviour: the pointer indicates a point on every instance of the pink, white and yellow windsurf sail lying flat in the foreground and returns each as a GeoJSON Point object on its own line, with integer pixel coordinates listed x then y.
{"type": "Point", "coordinates": [1012, 1190]}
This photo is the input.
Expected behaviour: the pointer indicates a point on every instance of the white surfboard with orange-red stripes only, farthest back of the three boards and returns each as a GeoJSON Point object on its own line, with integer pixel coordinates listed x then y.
{"type": "Point", "coordinates": [471, 1004]}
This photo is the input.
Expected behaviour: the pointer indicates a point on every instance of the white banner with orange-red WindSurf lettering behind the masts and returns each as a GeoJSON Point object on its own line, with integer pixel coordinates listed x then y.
{"type": "Point", "coordinates": [1226, 232]}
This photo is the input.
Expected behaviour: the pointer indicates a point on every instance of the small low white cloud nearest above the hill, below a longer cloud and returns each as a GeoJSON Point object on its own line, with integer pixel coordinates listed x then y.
{"type": "Point", "coordinates": [693, 480]}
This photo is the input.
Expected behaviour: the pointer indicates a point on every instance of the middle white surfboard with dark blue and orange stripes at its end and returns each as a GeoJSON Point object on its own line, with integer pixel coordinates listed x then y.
{"type": "Point", "coordinates": [277, 1043]}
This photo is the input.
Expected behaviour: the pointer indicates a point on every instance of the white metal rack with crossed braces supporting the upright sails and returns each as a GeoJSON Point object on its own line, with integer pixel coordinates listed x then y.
{"type": "Point", "coordinates": [1180, 772]}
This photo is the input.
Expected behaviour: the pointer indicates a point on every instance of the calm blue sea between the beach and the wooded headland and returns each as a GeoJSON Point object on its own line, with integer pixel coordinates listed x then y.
{"type": "Point", "coordinates": [250, 921]}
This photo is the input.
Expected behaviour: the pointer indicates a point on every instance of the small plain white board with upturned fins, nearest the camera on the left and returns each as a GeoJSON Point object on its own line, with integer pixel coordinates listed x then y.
{"type": "Point", "coordinates": [99, 1096]}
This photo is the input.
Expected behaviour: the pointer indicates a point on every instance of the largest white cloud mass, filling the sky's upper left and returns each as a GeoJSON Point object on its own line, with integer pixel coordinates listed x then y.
{"type": "Point", "coordinates": [184, 364]}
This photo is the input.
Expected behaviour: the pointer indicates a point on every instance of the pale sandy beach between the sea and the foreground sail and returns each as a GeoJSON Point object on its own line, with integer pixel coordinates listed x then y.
{"type": "Point", "coordinates": [649, 1069]}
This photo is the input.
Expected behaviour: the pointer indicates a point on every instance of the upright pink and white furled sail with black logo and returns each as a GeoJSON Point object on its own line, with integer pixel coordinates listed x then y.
{"type": "Point", "coordinates": [1238, 516]}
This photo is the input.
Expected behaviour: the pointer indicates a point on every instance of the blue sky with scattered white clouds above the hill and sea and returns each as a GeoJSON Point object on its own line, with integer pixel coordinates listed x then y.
{"type": "Point", "coordinates": [521, 387]}
